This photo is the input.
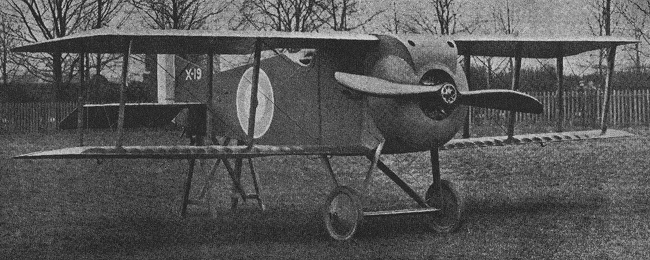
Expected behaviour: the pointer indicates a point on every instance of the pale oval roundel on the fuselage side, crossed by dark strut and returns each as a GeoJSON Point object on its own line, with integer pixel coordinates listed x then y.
{"type": "Point", "coordinates": [264, 111]}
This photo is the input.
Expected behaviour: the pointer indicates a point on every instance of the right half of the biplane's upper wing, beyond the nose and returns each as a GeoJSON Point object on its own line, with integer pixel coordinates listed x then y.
{"type": "Point", "coordinates": [534, 47]}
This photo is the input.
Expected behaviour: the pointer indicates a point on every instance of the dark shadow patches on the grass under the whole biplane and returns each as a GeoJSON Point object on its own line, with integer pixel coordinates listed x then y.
{"type": "Point", "coordinates": [291, 225]}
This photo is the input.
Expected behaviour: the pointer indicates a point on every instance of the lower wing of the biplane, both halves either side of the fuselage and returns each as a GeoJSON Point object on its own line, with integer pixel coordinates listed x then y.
{"type": "Point", "coordinates": [218, 151]}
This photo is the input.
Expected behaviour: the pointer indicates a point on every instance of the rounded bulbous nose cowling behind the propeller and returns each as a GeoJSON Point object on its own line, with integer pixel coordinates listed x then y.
{"type": "Point", "coordinates": [403, 121]}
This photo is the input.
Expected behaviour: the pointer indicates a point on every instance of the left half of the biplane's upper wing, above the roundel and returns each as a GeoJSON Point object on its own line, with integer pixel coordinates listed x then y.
{"type": "Point", "coordinates": [194, 41]}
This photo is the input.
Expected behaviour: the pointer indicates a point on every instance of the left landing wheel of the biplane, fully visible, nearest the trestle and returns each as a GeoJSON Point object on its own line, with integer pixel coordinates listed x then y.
{"type": "Point", "coordinates": [342, 213]}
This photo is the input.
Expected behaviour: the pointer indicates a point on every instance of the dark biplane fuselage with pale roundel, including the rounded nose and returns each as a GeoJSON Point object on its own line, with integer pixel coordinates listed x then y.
{"type": "Point", "coordinates": [303, 104]}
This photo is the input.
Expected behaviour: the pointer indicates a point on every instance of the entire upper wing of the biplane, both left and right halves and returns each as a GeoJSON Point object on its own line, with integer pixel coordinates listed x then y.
{"type": "Point", "coordinates": [109, 40]}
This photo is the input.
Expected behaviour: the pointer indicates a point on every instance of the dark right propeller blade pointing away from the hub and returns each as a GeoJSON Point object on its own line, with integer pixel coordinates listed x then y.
{"type": "Point", "coordinates": [501, 99]}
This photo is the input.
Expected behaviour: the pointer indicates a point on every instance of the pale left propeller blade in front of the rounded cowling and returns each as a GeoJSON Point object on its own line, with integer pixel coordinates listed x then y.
{"type": "Point", "coordinates": [381, 88]}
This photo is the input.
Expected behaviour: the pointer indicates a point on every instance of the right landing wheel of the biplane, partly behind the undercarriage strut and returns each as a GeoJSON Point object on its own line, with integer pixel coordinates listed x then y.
{"type": "Point", "coordinates": [449, 218]}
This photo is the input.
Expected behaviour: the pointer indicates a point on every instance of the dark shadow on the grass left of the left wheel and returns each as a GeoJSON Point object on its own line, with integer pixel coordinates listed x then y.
{"type": "Point", "coordinates": [136, 233]}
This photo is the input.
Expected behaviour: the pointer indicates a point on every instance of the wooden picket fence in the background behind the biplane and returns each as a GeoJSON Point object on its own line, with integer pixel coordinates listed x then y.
{"type": "Point", "coordinates": [583, 108]}
